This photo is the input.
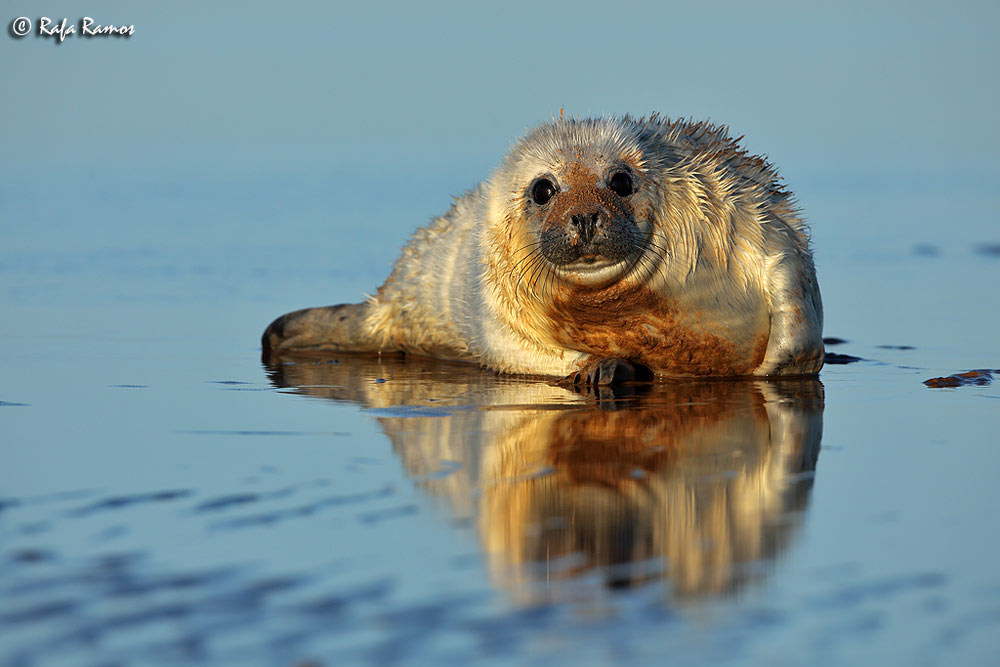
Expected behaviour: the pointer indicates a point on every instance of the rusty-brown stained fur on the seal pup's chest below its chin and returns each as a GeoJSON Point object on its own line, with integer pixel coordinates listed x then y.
{"type": "Point", "coordinates": [634, 323]}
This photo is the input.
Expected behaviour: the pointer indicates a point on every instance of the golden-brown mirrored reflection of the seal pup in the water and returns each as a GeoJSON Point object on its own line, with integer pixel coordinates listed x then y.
{"type": "Point", "coordinates": [699, 482]}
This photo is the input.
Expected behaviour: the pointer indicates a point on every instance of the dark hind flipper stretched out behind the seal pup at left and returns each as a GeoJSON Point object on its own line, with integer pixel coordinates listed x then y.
{"type": "Point", "coordinates": [333, 328]}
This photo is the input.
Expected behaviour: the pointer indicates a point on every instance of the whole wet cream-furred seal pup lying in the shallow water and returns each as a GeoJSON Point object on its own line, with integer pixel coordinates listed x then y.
{"type": "Point", "coordinates": [598, 249]}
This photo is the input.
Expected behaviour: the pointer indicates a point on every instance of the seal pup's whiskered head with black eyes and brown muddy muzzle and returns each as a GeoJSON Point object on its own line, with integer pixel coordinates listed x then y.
{"type": "Point", "coordinates": [575, 196]}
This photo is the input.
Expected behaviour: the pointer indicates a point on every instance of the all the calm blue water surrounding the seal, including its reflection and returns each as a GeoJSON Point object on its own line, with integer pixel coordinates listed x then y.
{"type": "Point", "coordinates": [167, 499]}
